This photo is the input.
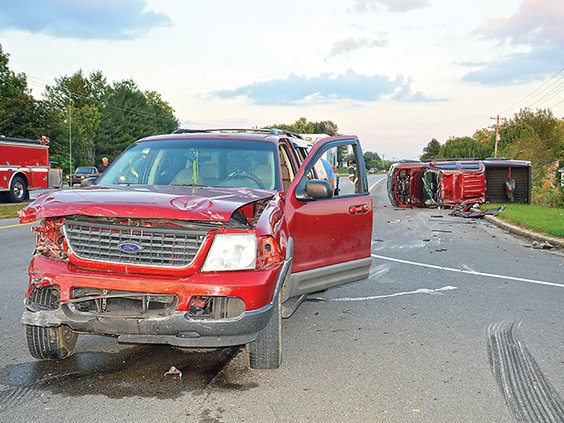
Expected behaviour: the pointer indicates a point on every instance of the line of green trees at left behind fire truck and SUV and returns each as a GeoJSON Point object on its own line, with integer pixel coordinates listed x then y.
{"type": "Point", "coordinates": [101, 118]}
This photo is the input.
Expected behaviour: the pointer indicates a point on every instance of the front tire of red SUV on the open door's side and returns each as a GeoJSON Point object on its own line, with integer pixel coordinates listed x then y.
{"type": "Point", "coordinates": [266, 351]}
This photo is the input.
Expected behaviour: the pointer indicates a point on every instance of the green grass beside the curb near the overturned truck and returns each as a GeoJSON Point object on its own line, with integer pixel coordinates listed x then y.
{"type": "Point", "coordinates": [545, 220]}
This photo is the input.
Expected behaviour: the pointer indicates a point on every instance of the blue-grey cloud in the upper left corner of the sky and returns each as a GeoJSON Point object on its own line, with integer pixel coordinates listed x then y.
{"type": "Point", "coordinates": [100, 19]}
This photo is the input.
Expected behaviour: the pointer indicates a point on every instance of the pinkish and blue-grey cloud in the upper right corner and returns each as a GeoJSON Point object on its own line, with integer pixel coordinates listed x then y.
{"type": "Point", "coordinates": [536, 32]}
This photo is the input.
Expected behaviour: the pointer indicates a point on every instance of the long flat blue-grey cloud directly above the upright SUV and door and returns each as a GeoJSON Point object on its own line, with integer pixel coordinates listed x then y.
{"type": "Point", "coordinates": [326, 88]}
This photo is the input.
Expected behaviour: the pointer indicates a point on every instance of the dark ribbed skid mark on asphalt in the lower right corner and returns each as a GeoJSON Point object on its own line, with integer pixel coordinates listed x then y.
{"type": "Point", "coordinates": [527, 392]}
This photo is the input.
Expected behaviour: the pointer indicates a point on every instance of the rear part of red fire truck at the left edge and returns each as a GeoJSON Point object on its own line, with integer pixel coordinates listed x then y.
{"type": "Point", "coordinates": [24, 166]}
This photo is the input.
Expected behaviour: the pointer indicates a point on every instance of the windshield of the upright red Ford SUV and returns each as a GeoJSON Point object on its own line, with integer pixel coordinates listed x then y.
{"type": "Point", "coordinates": [208, 162]}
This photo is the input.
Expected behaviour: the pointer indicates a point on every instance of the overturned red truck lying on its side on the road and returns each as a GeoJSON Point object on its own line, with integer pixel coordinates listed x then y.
{"type": "Point", "coordinates": [454, 182]}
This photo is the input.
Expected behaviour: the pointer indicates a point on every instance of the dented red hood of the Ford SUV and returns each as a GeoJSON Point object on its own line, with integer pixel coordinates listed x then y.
{"type": "Point", "coordinates": [163, 202]}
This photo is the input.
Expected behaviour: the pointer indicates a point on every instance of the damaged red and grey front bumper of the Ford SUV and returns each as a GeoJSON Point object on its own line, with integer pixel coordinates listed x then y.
{"type": "Point", "coordinates": [179, 328]}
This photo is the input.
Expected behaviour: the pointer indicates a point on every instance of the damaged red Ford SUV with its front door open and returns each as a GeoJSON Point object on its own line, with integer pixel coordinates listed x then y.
{"type": "Point", "coordinates": [196, 239]}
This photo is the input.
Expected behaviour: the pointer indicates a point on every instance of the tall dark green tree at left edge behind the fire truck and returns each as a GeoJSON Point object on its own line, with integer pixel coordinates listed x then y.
{"type": "Point", "coordinates": [19, 114]}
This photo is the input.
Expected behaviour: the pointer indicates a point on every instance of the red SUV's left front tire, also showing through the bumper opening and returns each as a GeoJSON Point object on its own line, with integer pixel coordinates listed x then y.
{"type": "Point", "coordinates": [49, 343]}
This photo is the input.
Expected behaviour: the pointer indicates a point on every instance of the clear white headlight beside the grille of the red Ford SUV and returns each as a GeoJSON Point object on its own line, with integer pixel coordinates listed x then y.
{"type": "Point", "coordinates": [231, 252]}
